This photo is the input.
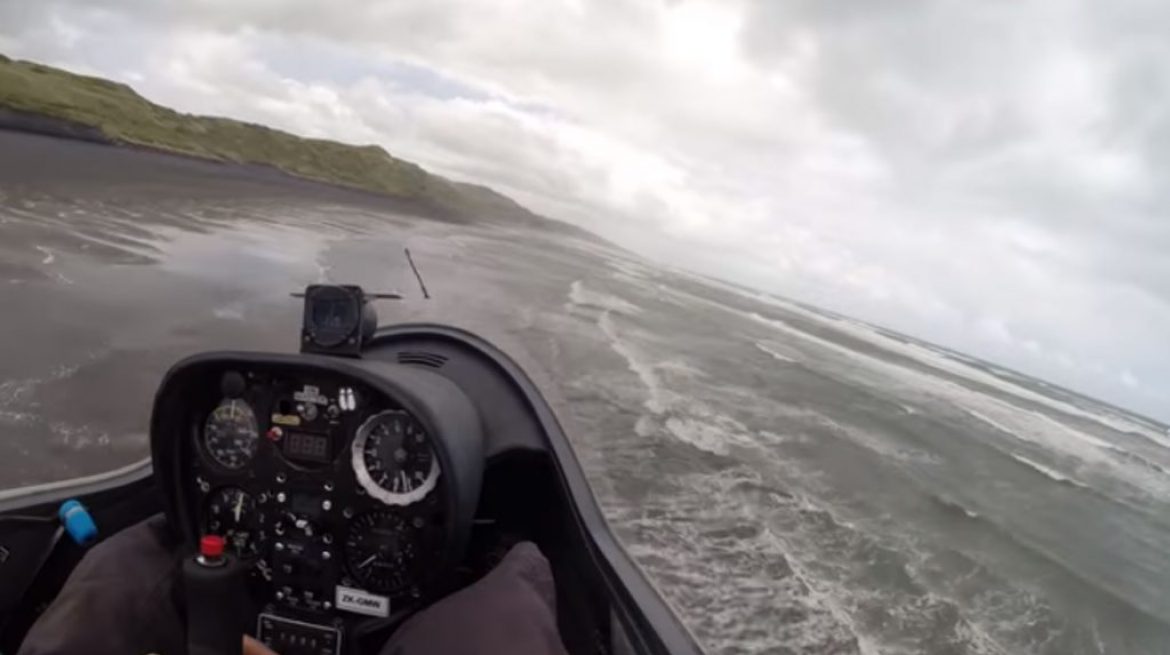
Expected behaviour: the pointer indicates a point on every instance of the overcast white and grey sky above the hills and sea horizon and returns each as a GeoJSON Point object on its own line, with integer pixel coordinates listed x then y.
{"type": "Point", "coordinates": [987, 175]}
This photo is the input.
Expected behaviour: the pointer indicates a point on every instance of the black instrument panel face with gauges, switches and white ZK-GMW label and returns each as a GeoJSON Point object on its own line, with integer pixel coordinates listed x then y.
{"type": "Point", "coordinates": [332, 489]}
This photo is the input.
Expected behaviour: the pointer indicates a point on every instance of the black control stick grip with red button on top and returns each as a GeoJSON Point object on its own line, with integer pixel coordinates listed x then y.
{"type": "Point", "coordinates": [219, 610]}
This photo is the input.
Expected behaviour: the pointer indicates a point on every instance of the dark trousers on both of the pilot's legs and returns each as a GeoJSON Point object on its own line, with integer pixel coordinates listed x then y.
{"type": "Point", "coordinates": [121, 601]}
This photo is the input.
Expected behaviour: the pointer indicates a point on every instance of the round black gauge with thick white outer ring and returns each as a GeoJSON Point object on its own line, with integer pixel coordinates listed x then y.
{"type": "Point", "coordinates": [394, 460]}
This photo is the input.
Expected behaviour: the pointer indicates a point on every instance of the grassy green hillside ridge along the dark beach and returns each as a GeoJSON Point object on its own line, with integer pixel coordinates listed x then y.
{"type": "Point", "coordinates": [121, 116]}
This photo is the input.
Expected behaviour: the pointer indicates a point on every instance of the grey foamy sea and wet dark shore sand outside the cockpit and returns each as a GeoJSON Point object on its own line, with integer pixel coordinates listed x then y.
{"type": "Point", "coordinates": [793, 481]}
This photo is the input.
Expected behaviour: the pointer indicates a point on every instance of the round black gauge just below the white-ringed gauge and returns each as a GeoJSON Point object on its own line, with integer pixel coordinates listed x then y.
{"type": "Point", "coordinates": [381, 551]}
